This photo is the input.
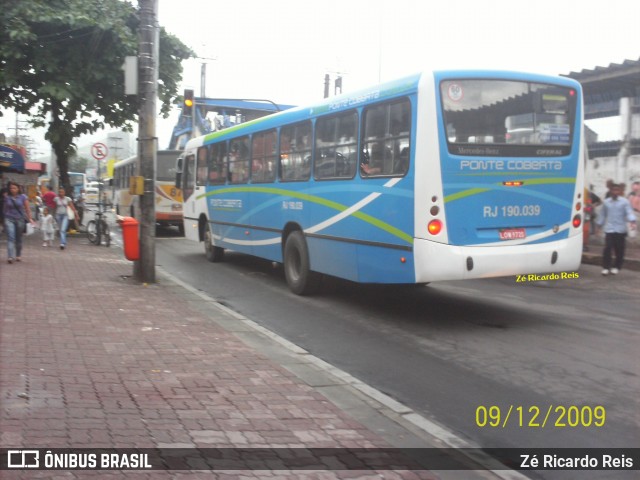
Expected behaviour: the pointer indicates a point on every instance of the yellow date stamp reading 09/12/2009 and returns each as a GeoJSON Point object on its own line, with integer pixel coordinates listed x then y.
{"type": "Point", "coordinates": [558, 416]}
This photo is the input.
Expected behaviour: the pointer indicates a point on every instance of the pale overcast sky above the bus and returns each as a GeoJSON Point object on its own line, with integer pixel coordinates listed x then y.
{"type": "Point", "coordinates": [281, 49]}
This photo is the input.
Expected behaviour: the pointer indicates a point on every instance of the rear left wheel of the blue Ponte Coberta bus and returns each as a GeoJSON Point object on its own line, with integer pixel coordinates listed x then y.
{"type": "Point", "coordinates": [300, 279]}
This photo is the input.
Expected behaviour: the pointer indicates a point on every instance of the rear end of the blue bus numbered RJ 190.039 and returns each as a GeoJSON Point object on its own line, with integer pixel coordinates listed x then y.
{"type": "Point", "coordinates": [499, 176]}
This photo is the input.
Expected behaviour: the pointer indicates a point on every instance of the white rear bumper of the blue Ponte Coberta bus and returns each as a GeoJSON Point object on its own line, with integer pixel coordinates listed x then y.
{"type": "Point", "coordinates": [438, 262]}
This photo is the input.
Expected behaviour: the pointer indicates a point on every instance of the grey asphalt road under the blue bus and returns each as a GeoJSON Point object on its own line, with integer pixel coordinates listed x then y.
{"type": "Point", "coordinates": [557, 353]}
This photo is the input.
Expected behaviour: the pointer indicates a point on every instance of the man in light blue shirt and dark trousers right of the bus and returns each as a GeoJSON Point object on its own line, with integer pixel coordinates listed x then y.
{"type": "Point", "coordinates": [616, 213]}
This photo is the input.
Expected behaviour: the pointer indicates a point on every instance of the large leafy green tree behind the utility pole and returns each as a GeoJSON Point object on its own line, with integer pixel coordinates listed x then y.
{"type": "Point", "coordinates": [61, 64]}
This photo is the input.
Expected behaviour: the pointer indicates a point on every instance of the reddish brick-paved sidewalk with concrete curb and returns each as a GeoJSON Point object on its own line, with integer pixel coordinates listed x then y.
{"type": "Point", "coordinates": [89, 358]}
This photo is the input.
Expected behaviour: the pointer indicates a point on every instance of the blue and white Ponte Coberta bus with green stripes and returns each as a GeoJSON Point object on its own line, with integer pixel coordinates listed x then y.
{"type": "Point", "coordinates": [437, 176]}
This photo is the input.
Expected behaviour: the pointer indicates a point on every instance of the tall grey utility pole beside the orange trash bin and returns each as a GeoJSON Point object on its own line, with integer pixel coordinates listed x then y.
{"type": "Point", "coordinates": [144, 268]}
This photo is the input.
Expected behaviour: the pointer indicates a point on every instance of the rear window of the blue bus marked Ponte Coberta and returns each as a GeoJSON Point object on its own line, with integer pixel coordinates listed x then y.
{"type": "Point", "coordinates": [507, 118]}
